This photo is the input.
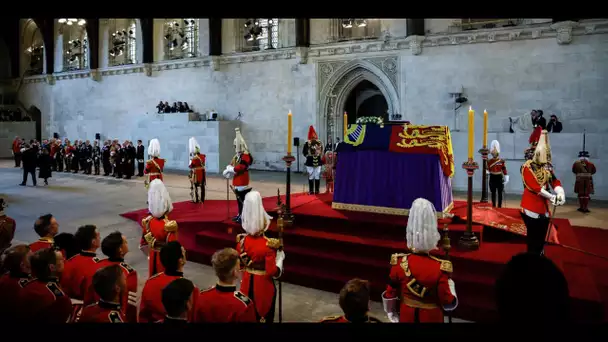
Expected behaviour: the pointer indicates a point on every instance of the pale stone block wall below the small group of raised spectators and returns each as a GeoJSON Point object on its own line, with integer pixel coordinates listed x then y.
{"type": "Point", "coordinates": [173, 130]}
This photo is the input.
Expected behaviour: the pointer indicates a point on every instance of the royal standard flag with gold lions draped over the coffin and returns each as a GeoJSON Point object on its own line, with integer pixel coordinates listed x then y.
{"type": "Point", "coordinates": [402, 139]}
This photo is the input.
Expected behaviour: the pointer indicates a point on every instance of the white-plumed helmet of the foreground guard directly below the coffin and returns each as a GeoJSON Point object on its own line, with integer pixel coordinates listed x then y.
{"type": "Point", "coordinates": [422, 232]}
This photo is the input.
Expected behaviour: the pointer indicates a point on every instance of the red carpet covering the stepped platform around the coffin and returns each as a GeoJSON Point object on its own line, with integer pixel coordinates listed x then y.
{"type": "Point", "coordinates": [327, 247]}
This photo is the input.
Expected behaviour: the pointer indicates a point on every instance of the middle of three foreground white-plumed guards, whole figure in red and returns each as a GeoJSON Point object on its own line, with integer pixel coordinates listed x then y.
{"type": "Point", "coordinates": [261, 258]}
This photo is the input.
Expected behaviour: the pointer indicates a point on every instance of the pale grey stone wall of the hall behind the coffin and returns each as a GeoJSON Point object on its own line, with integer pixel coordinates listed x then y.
{"type": "Point", "coordinates": [508, 72]}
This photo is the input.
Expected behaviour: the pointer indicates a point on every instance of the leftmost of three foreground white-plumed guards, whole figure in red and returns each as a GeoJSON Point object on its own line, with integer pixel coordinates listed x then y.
{"type": "Point", "coordinates": [157, 229]}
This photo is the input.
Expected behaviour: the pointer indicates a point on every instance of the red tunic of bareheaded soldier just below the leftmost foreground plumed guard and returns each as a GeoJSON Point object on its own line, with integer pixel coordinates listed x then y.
{"type": "Point", "coordinates": [151, 308]}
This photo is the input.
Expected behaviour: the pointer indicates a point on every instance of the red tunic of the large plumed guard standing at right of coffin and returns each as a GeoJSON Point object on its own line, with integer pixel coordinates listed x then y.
{"type": "Point", "coordinates": [535, 178]}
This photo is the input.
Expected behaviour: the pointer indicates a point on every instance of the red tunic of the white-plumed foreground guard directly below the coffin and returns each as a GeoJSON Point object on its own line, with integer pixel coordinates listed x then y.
{"type": "Point", "coordinates": [421, 282]}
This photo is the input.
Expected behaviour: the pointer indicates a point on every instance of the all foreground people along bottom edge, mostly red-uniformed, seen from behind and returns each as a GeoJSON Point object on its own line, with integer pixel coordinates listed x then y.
{"type": "Point", "coordinates": [61, 278]}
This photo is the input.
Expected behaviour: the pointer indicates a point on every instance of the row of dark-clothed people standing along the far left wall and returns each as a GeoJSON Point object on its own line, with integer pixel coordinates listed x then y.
{"type": "Point", "coordinates": [118, 160]}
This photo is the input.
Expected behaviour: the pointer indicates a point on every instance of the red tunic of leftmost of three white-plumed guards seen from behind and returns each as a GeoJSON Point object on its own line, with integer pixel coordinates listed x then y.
{"type": "Point", "coordinates": [157, 233]}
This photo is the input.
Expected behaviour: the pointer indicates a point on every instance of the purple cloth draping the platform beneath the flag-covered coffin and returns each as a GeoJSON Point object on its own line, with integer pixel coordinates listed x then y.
{"type": "Point", "coordinates": [390, 180]}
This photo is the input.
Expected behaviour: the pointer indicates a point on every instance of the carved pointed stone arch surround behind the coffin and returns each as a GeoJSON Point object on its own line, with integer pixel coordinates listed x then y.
{"type": "Point", "coordinates": [337, 79]}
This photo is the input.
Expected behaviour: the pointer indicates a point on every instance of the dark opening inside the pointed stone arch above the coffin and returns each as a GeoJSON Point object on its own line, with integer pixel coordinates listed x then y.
{"type": "Point", "coordinates": [366, 100]}
